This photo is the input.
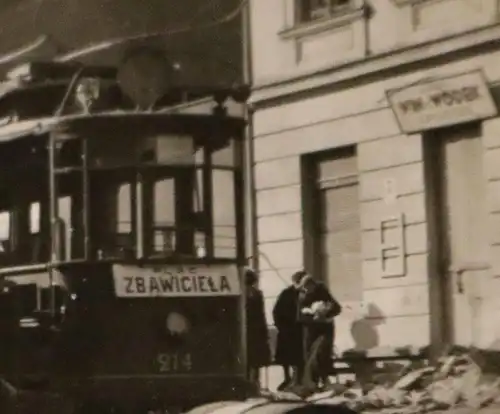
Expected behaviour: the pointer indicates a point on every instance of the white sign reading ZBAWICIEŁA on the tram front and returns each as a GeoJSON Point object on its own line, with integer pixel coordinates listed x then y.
{"type": "Point", "coordinates": [176, 281]}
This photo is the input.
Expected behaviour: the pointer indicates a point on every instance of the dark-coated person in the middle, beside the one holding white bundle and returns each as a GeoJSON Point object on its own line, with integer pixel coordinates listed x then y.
{"type": "Point", "coordinates": [289, 352]}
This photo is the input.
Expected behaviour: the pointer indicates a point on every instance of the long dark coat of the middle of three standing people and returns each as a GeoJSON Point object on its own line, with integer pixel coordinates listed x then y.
{"type": "Point", "coordinates": [289, 341]}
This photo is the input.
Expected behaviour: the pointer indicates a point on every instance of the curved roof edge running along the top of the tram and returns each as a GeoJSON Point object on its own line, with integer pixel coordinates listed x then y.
{"type": "Point", "coordinates": [177, 123]}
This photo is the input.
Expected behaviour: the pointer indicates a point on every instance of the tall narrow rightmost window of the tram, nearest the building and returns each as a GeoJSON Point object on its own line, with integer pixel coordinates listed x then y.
{"type": "Point", "coordinates": [223, 214]}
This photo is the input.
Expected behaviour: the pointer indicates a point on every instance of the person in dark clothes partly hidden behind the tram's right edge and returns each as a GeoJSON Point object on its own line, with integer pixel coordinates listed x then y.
{"type": "Point", "coordinates": [258, 350]}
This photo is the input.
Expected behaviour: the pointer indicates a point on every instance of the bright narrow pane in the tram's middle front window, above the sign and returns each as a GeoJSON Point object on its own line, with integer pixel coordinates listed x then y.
{"type": "Point", "coordinates": [164, 216]}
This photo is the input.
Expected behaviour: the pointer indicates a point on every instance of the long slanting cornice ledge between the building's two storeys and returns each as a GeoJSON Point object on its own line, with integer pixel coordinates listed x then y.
{"type": "Point", "coordinates": [266, 92]}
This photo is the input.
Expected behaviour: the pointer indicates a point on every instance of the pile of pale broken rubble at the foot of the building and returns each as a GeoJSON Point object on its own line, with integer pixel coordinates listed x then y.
{"type": "Point", "coordinates": [458, 380]}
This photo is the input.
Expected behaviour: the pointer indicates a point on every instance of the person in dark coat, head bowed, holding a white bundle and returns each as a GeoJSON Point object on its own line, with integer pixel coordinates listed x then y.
{"type": "Point", "coordinates": [317, 310]}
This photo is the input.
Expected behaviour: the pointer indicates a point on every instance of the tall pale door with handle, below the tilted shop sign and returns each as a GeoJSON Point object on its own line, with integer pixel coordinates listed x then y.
{"type": "Point", "coordinates": [458, 206]}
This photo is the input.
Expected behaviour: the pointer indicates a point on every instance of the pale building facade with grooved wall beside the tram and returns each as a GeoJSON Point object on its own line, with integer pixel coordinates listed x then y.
{"type": "Point", "coordinates": [376, 142]}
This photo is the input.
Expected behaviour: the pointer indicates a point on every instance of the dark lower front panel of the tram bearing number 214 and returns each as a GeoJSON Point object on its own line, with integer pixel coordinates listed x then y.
{"type": "Point", "coordinates": [150, 347]}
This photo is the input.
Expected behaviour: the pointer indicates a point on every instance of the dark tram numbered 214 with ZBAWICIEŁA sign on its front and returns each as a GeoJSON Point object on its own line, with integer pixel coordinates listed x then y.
{"type": "Point", "coordinates": [121, 248]}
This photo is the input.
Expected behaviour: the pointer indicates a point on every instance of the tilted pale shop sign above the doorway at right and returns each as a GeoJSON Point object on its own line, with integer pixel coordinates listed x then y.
{"type": "Point", "coordinates": [442, 102]}
